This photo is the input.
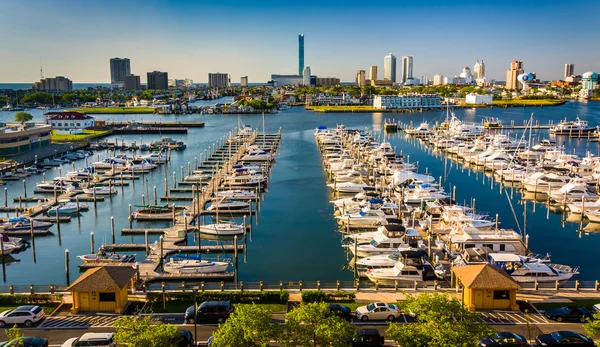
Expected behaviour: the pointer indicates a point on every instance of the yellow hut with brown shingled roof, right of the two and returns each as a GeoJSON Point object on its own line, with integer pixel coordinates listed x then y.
{"type": "Point", "coordinates": [487, 287]}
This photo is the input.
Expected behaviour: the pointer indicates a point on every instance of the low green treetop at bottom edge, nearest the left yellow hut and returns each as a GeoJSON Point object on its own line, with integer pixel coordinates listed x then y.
{"type": "Point", "coordinates": [138, 332]}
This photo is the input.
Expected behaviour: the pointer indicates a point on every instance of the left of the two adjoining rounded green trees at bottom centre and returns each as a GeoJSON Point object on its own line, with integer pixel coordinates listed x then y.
{"type": "Point", "coordinates": [249, 325]}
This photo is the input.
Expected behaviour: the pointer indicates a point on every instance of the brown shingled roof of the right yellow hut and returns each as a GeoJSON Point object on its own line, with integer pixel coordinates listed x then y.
{"type": "Point", "coordinates": [485, 276]}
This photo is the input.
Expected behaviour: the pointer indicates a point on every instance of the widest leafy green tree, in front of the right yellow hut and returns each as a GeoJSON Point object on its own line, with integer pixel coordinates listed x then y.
{"type": "Point", "coordinates": [441, 321]}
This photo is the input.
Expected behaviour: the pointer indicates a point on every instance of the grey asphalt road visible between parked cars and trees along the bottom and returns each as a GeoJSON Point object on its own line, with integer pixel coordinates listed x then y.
{"type": "Point", "coordinates": [56, 335]}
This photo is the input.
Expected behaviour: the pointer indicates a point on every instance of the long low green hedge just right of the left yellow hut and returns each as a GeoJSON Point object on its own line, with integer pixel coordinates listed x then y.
{"type": "Point", "coordinates": [236, 297]}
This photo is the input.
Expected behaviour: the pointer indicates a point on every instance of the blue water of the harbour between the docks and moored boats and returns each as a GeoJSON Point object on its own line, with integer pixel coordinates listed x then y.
{"type": "Point", "coordinates": [295, 239]}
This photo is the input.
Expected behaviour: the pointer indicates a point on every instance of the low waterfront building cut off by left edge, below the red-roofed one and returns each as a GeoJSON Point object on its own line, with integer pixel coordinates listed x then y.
{"type": "Point", "coordinates": [20, 138]}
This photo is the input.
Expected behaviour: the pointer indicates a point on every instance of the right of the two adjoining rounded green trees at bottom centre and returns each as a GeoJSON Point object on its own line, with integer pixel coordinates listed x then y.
{"type": "Point", "coordinates": [313, 325]}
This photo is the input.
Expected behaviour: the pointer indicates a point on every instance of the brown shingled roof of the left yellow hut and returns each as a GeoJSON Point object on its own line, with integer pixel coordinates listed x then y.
{"type": "Point", "coordinates": [103, 279]}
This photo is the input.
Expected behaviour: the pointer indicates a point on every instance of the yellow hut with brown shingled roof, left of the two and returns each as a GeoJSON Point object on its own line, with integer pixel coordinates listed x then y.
{"type": "Point", "coordinates": [102, 289]}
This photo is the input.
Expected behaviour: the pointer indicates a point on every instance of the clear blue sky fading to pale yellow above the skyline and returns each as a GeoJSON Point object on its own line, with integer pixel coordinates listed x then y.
{"type": "Point", "coordinates": [190, 38]}
